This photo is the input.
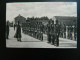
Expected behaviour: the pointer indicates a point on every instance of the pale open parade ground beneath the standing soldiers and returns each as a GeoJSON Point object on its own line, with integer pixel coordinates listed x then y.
{"type": "Point", "coordinates": [30, 42]}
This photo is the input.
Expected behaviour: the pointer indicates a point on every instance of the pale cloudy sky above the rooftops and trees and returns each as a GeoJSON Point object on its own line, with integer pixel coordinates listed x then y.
{"type": "Point", "coordinates": [39, 9]}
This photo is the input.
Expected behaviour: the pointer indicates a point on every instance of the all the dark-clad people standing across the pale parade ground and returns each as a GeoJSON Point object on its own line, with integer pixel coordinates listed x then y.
{"type": "Point", "coordinates": [36, 29]}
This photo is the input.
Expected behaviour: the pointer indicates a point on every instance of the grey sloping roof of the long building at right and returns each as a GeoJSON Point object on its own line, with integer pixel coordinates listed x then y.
{"type": "Point", "coordinates": [68, 20]}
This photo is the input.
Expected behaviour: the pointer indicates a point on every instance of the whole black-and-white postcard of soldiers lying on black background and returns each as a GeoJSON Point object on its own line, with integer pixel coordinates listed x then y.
{"type": "Point", "coordinates": [41, 25]}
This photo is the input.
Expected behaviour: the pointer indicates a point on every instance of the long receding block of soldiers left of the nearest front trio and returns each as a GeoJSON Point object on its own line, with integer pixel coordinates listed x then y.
{"type": "Point", "coordinates": [34, 29]}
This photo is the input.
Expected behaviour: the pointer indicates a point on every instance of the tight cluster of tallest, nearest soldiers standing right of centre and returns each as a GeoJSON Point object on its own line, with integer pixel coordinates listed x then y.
{"type": "Point", "coordinates": [53, 32]}
